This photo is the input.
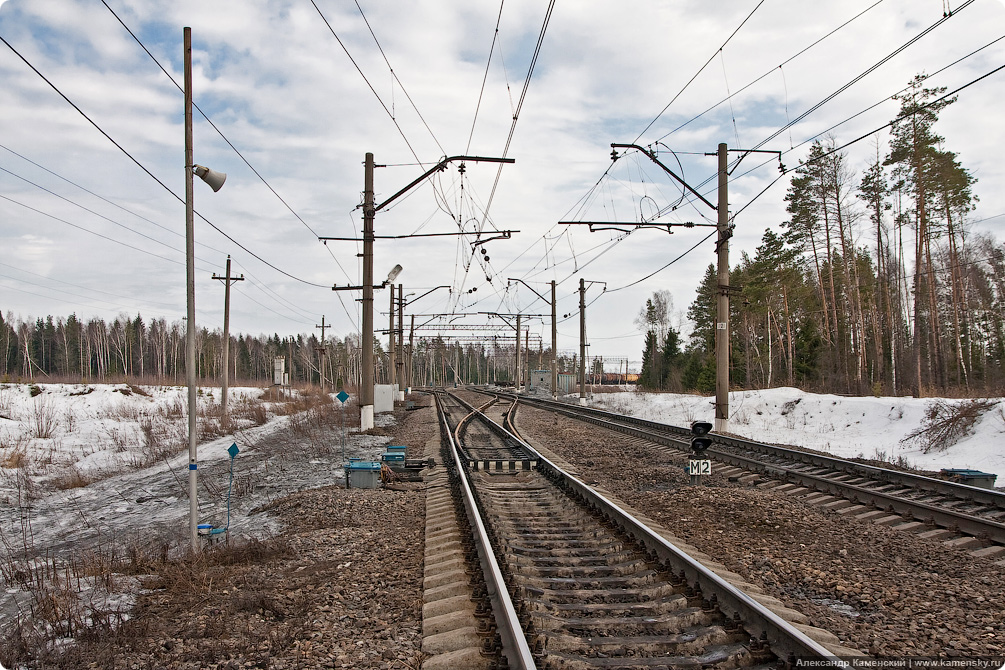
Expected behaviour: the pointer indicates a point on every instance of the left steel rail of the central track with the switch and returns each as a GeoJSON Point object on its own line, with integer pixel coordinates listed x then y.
{"type": "Point", "coordinates": [515, 646]}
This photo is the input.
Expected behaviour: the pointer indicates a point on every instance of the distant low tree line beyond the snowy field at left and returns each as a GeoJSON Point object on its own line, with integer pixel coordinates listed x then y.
{"type": "Point", "coordinates": [126, 348]}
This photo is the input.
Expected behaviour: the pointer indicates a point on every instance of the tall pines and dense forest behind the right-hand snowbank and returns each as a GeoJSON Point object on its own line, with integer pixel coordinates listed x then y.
{"type": "Point", "coordinates": [875, 283]}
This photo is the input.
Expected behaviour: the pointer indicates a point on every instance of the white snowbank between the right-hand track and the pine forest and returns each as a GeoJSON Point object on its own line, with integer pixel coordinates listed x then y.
{"type": "Point", "coordinates": [847, 427]}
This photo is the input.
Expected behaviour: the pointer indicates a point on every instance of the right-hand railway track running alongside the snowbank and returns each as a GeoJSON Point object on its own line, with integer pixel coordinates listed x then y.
{"type": "Point", "coordinates": [945, 510]}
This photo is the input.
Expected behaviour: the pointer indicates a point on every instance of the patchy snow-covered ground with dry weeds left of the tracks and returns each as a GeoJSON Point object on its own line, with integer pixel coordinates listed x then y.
{"type": "Point", "coordinates": [84, 468]}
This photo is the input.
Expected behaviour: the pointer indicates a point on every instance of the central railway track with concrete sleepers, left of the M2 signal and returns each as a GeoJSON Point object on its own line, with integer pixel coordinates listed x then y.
{"type": "Point", "coordinates": [577, 583]}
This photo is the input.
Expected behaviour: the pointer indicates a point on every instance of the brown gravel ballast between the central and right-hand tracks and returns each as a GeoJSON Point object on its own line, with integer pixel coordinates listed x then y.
{"type": "Point", "coordinates": [886, 592]}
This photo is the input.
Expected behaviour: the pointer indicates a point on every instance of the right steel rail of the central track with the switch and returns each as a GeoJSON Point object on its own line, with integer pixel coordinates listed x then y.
{"type": "Point", "coordinates": [785, 640]}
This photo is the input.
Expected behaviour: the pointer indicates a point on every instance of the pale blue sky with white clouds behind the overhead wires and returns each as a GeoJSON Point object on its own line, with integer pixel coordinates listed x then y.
{"type": "Point", "coordinates": [303, 90]}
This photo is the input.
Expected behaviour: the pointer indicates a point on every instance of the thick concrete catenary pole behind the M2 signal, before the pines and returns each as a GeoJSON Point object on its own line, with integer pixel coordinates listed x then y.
{"type": "Point", "coordinates": [723, 311]}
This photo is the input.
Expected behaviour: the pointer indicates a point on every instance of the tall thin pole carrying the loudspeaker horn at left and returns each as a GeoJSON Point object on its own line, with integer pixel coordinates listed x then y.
{"type": "Point", "coordinates": [190, 299]}
